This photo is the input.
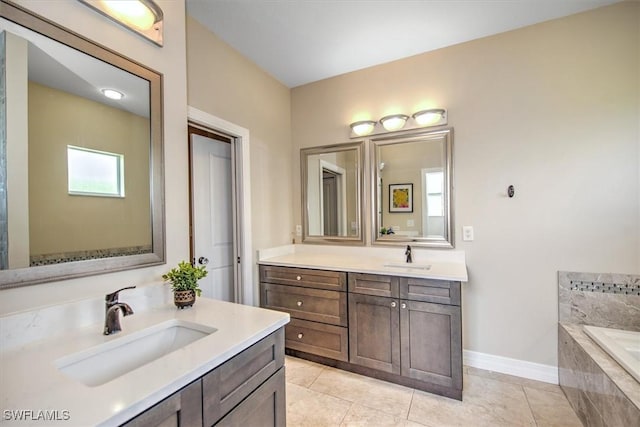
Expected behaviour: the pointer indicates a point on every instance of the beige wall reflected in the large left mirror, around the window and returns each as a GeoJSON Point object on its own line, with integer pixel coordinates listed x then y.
{"type": "Point", "coordinates": [59, 222]}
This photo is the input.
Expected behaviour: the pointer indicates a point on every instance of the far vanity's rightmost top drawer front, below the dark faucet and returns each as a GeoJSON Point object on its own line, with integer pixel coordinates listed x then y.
{"type": "Point", "coordinates": [428, 290]}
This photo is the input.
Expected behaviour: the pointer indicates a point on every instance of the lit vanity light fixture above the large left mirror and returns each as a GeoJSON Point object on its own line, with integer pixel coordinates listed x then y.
{"type": "Point", "coordinates": [144, 17]}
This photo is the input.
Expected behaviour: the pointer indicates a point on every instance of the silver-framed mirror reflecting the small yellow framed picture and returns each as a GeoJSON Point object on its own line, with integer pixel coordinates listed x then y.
{"type": "Point", "coordinates": [411, 189]}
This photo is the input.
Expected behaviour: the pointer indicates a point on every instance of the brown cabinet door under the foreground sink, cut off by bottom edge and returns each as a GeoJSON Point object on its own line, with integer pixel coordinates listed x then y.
{"type": "Point", "coordinates": [183, 408]}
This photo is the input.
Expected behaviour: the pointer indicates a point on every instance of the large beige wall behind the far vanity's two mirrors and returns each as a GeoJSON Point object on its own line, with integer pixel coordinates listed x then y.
{"type": "Point", "coordinates": [552, 109]}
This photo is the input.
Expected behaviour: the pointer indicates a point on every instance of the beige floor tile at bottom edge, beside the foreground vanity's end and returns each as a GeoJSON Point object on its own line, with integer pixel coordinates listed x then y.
{"type": "Point", "coordinates": [312, 409]}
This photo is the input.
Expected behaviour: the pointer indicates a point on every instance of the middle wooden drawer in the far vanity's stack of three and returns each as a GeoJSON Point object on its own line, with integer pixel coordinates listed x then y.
{"type": "Point", "coordinates": [318, 305]}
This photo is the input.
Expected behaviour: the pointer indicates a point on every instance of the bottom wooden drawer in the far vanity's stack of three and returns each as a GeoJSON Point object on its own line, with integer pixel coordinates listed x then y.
{"type": "Point", "coordinates": [318, 338]}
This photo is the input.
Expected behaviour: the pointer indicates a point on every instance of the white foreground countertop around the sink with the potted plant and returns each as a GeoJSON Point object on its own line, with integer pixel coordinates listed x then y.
{"type": "Point", "coordinates": [31, 382]}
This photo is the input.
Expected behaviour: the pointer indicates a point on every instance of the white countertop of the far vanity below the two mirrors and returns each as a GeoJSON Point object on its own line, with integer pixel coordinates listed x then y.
{"type": "Point", "coordinates": [443, 266]}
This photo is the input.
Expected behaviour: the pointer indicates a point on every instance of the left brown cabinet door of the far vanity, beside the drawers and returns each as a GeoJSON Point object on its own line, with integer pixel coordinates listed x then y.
{"type": "Point", "coordinates": [374, 333]}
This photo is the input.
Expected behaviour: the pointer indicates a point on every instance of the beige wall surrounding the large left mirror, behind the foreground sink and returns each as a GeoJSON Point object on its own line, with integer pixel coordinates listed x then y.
{"type": "Point", "coordinates": [169, 60]}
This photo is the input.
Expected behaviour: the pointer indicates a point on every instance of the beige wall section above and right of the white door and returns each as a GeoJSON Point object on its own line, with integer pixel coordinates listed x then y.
{"type": "Point", "coordinates": [223, 83]}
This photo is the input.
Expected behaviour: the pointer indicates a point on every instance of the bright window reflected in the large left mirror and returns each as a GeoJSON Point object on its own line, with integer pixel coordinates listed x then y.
{"type": "Point", "coordinates": [95, 173]}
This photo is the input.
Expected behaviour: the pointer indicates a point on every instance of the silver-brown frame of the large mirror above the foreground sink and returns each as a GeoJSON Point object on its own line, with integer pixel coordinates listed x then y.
{"type": "Point", "coordinates": [55, 272]}
